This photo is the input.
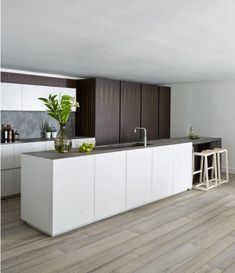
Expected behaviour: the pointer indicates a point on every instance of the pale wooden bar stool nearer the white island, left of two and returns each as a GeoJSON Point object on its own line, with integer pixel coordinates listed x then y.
{"type": "Point", "coordinates": [206, 183]}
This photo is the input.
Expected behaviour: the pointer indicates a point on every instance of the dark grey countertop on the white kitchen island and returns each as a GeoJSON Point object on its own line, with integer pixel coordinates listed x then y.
{"type": "Point", "coordinates": [54, 155]}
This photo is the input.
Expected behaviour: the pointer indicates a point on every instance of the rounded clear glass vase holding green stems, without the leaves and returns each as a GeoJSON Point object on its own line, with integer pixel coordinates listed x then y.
{"type": "Point", "coordinates": [63, 144]}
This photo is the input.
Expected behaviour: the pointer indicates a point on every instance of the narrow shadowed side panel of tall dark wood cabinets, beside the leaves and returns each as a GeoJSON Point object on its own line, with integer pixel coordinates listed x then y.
{"type": "Point", "coordinates": [85, 115]}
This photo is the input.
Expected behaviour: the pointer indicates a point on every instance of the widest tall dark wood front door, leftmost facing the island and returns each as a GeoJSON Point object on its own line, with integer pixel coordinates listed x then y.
{"type": "Point", "coordinates": [107, 111]}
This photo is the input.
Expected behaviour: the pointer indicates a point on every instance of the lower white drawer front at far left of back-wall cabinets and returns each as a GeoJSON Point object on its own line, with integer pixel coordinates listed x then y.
{"type": "Point", "coordinates": [7, 182]}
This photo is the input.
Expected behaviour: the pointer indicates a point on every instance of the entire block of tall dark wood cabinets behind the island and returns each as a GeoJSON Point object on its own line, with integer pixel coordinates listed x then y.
{"type": "Point", "coordinates": [111, 109]}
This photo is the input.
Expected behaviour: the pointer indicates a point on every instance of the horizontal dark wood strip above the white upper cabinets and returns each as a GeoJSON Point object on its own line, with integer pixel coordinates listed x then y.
{"type": "Point", "coordinates": [37, 80]}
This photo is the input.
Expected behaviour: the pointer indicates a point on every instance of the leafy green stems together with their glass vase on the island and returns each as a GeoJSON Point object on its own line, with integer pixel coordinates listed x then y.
{"type": "Point", "coordinates": [60, 109]}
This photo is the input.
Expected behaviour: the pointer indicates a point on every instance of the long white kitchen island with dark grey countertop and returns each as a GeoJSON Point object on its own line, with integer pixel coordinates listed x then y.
{"type": "Point", "coordinates": [61, 192]}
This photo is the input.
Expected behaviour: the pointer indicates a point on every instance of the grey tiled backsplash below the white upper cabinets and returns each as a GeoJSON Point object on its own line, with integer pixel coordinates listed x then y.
{"type": "Point", "coordinates": [29, 123]}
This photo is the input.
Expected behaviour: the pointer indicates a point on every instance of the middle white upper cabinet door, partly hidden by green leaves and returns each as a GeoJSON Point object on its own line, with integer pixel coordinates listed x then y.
{"type": "Point", "coordinates": [31, 93]}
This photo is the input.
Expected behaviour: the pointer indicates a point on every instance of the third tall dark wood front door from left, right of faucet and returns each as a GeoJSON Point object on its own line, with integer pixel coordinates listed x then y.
{"type": "Point", "coordinates": [149, 110]}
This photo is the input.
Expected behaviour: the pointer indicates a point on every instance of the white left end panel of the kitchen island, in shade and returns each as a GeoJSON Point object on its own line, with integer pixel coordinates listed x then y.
{"type": "Point", "coordinates": [36, 192]}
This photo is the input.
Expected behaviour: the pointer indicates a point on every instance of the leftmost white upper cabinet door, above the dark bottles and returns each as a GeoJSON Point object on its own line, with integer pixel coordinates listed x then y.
{"type": "Point", "coordinates": [11, 96]}
